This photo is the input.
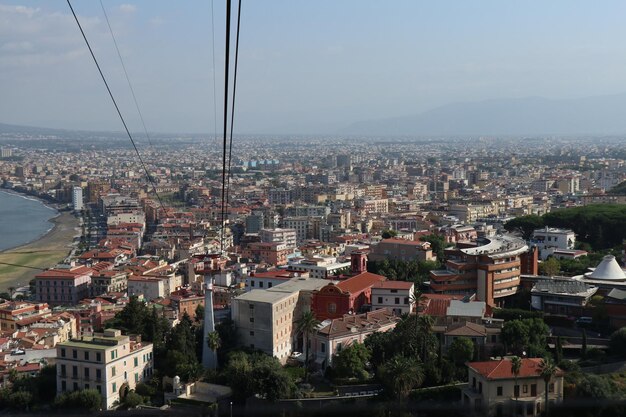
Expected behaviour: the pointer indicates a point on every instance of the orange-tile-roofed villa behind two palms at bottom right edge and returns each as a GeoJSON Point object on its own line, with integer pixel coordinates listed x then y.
{"type": "Point", "coordinates": [493, 390]}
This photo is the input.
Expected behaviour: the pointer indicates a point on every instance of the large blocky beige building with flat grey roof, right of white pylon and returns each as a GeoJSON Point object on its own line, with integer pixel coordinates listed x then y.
{"type": "Point", "coordinates": [265, 318]}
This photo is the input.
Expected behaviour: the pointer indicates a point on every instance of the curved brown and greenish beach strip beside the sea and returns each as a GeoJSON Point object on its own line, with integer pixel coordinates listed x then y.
{"type": "Point", "coordinates": [43, 253]}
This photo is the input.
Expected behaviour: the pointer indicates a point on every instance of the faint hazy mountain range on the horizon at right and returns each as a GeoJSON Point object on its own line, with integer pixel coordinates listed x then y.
{"type": "Point", "coordinates": [598, 115]}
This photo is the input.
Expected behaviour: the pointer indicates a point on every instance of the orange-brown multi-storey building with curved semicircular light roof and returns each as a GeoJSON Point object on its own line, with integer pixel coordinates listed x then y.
{"type": "Point", "coordinates": [491, 271]}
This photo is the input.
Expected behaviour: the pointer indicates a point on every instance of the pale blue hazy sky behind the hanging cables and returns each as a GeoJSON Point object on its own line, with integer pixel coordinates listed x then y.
{"type": "Point", "coordinates": [305, 66]}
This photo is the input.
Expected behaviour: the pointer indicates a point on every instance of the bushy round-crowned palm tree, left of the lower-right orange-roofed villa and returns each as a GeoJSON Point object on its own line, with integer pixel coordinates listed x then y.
{"type": "Point", "coordinates": [400, 375]}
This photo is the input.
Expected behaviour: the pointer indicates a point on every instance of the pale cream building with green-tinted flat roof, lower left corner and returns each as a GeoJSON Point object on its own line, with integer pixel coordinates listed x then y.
{"type": "Point", "coordinates": [109, 362]}
